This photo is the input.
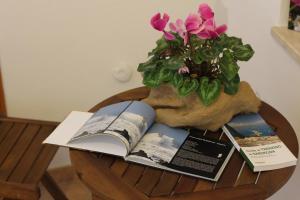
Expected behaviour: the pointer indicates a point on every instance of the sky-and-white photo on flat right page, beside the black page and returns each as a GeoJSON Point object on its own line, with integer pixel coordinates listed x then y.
{"type": "Point", "coordinates": [160, 144]}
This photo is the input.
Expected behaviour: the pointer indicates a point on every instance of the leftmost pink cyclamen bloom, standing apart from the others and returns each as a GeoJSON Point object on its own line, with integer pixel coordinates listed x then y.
{"type": "Point", "coordinates": [160, 24]}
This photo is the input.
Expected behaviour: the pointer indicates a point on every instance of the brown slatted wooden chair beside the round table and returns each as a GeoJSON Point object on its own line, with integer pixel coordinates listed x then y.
{"type": "Point", "coordinates": [23, 158]}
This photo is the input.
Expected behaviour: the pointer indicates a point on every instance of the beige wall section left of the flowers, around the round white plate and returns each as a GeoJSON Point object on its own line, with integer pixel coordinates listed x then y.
{"type": "Point", "coordinates": [58, 55]}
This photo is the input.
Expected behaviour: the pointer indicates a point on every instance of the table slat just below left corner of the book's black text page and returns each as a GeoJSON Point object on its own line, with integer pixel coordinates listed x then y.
{"type": "Point", "coordinates": [166, 184]}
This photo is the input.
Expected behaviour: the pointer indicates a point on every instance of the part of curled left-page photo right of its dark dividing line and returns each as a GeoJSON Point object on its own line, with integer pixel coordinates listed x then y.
{"type": "Point", "coordinates": [132, 124]}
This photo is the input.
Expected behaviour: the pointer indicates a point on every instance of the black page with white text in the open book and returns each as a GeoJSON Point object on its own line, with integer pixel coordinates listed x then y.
{"type": "Point", "coordinates": [202, 156]}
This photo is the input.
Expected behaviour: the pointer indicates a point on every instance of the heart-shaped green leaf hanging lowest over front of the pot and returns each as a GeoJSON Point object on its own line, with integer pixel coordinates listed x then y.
{"type": "Point", "coordinates": [209, 91]}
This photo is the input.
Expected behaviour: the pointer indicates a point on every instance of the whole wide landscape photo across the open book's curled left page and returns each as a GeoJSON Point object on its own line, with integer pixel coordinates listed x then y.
{"type": "Point", "coordinates": [128, 119]}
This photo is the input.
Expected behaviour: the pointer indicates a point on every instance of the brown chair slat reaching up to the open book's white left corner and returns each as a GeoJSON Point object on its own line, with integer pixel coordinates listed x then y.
{"type": "Point", "coordinates": [28, 159]}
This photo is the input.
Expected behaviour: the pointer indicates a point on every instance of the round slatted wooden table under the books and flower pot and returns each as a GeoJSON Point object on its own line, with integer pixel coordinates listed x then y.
{"type": "Point", "coordinates": [109, 177]}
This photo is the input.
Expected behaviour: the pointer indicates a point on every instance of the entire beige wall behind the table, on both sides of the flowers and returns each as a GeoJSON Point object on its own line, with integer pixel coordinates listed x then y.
{"type": "Point", "coordinates": [58, 55]}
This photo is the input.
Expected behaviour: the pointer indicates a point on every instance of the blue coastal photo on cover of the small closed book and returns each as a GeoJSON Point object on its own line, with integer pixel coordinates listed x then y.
{"type": "Point", "coordinates": [251, 130]}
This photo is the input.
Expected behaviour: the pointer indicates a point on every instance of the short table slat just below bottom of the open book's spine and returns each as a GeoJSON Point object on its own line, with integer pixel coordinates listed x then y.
{"type": "Point", "coordinates": [133, 174]}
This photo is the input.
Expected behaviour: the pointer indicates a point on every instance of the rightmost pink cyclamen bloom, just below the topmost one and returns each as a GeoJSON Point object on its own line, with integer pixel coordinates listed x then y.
{"type": "Point", "coordinates": [210, 30]}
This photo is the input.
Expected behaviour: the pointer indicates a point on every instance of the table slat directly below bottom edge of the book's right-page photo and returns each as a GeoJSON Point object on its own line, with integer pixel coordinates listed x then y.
{"type": "Point", "coordinates": [149, 179]}
